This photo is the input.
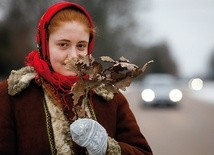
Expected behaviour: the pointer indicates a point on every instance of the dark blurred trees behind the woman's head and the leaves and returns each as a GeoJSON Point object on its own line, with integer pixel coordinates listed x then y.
{"type": "Point", "coordinates": [115, 36]}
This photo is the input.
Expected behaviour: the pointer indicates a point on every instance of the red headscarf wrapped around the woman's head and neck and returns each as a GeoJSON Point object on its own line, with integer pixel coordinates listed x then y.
{"type": "Point", "coordinates": [40, 58]}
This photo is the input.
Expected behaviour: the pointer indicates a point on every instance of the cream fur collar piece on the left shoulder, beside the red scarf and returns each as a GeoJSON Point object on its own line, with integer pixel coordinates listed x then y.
{"type": "Point", "coordinates": [20, 79]}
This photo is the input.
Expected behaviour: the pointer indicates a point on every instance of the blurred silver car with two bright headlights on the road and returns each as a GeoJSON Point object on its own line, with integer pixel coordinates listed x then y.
{"type": "Point", "coordinates": [160, 89]}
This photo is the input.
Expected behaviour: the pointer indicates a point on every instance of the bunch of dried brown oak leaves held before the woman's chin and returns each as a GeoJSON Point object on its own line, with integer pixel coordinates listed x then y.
{"type": "Point", "coordinates": [105, 82]}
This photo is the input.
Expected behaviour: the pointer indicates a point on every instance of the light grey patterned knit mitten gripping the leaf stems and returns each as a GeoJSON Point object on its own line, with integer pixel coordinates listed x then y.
{"type": "Point", "coordinates": [90, 134]}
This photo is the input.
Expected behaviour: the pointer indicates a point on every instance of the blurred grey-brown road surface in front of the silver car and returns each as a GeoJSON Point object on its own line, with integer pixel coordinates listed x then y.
{"type": "Point", "coordinates": [185, 130]}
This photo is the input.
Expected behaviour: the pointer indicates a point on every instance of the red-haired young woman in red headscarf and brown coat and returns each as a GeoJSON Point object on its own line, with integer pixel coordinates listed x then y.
{"type": "Point", "coordinates": [37, 114]}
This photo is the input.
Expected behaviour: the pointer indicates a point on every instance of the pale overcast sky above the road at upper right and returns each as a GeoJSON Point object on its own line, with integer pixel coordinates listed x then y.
{"type": "Point", "coordinates": [187, 26]}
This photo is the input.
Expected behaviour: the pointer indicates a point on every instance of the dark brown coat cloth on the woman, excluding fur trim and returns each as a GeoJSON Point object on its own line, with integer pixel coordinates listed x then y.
{"type": "Point", "coordinates": [23, 123]}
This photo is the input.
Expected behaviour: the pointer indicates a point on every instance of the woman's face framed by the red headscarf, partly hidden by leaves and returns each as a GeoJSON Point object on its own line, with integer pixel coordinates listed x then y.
{"type": "Point", "coordinates": [68, 41]}
